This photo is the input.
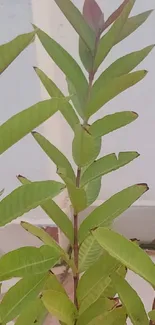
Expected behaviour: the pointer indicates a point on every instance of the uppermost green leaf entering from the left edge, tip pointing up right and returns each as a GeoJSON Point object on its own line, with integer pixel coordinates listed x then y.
{"type": "Point", "coordinates": [10, 50]}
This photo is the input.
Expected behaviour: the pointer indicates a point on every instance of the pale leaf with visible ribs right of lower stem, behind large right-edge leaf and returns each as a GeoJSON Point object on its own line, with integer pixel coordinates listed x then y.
{"type": "Point", "coordinates": [89, 253]}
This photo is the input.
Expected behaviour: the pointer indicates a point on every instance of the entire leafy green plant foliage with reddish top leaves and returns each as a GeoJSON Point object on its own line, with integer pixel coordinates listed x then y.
{"type": "Point", "coordinates": [100, 257]}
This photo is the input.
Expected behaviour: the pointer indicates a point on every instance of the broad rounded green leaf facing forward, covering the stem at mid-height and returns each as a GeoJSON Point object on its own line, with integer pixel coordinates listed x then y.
{"type": "Point", "coordinates": [85, 148]}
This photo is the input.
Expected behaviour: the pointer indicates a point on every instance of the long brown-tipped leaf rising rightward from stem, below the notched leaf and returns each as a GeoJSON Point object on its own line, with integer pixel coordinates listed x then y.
{"type": "Point", "coordinates": [111, 209]}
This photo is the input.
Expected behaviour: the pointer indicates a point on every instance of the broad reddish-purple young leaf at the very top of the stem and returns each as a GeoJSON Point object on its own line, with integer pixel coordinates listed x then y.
{"type": "Point", "coordinates": [93, 15]}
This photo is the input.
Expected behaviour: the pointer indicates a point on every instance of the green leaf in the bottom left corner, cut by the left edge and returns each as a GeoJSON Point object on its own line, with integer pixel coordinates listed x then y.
{"type": "Point", "coordinates": [20, 295]}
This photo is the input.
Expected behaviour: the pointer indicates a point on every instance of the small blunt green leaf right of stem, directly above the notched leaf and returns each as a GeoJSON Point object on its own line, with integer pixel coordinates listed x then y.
{"type": "Point", "coordinates": [112, 122]}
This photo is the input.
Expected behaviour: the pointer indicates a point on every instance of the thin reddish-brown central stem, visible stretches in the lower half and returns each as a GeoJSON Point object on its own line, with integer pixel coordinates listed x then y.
{"type": "Point", "coordinates": [76, 245]}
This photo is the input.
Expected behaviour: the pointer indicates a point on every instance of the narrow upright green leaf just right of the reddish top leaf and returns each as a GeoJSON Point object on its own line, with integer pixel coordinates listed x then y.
{"type": "Point", "coordinates": [108, 40]}
